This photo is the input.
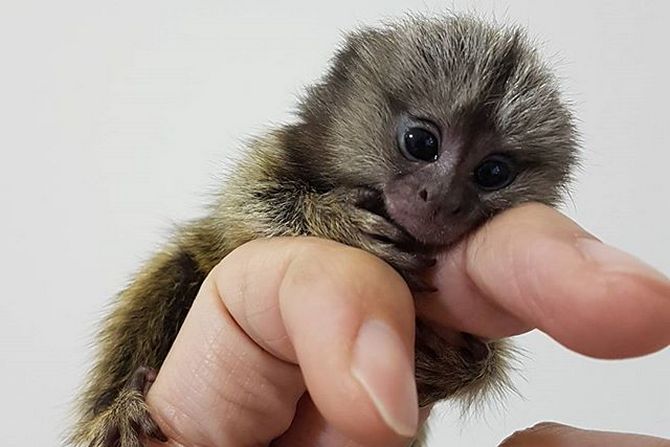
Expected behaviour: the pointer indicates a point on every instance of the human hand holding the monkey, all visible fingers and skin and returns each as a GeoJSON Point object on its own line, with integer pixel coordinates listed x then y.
{"type": "Point", "coordinates": [301, 341]}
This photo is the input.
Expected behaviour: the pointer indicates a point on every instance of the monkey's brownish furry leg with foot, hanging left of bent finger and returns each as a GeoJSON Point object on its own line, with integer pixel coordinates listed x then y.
{"type": "Point", "coordinates": [133, 343]}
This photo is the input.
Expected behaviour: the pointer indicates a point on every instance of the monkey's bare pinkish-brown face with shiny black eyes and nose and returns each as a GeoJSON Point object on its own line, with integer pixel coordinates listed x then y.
{"type": "Point", "coordinates": [450, 181]}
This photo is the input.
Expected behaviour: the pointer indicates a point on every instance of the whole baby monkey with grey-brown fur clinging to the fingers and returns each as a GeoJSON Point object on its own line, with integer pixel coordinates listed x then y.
{"type": "Point", "coordinates": [417, 134]}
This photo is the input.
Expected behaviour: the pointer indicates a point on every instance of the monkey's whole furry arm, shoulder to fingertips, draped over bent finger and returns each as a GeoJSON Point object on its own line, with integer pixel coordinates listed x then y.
{"type": "Point", "coordinates": [350, 215]}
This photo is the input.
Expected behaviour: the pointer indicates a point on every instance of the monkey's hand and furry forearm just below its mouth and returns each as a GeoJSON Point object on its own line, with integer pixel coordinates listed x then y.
{"type": "Point", "coordinates": [354, 216]}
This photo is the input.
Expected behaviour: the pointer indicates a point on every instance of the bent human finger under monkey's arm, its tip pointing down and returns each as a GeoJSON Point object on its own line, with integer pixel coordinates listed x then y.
{"type": "Point", "coordinates": [278, 314]}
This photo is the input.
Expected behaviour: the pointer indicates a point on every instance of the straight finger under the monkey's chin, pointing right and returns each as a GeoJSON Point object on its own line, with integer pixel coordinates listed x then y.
{"type": "Point", "coordinates": [532, 267]}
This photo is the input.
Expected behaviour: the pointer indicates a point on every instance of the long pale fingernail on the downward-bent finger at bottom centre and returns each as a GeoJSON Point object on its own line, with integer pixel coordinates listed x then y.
{"type": "Point", "coordinates": [385, 370]}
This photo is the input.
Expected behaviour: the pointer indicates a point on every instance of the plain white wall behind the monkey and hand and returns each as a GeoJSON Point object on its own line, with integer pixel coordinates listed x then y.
{"type": "Point", "coordinates": [117, 117]}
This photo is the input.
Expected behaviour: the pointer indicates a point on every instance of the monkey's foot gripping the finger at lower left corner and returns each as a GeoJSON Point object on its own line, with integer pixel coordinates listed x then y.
{"type": "Point", "coordinates": [127, 422]}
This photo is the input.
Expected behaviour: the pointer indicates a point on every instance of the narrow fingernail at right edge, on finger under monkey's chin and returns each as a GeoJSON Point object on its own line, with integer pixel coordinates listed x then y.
{"type": "Point", "coordinates": [611, 259]}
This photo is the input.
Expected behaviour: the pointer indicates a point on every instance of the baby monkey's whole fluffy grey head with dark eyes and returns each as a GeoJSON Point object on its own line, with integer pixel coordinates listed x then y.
{"type": "Point", "coordinates": [451, 120]}
